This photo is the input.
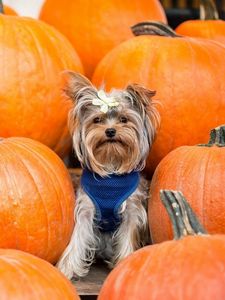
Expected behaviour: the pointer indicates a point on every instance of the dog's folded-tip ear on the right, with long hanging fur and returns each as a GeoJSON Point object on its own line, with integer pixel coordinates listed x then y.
{"type": "Point", "coordinates": [141, 99]}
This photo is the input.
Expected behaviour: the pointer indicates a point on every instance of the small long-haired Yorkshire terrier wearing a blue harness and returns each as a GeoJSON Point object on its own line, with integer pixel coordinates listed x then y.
{"type": "Point", "coordinates": [112, 134]}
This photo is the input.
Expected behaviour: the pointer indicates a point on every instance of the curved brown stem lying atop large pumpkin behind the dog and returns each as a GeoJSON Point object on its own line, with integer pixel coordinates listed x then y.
{"type": "Point", "coordinates": [153, 28]}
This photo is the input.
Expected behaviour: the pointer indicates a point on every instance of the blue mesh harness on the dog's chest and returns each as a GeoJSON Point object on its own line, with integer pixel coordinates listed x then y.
{"type": "Point", "coordinates": [107, 194]}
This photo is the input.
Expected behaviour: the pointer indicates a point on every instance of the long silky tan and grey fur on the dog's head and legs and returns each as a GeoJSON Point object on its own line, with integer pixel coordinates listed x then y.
{"type": "Point", "coordinates": [129, 152]}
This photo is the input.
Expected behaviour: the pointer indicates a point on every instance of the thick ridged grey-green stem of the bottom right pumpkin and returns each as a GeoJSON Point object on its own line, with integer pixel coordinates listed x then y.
{"type": "Point", "coordinates": [183, 219]}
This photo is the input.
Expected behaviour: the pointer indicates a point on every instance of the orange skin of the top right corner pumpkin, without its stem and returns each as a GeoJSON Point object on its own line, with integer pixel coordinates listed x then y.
{"type": "Point", "coordinates": [209, 29]}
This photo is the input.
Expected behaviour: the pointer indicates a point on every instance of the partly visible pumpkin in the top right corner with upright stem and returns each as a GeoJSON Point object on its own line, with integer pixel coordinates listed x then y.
{"type": "Point", "coordinates": [209, 26]}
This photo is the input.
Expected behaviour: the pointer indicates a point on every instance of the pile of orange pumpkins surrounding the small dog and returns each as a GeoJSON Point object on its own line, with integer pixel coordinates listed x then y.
{"type": "Point", "coordinates": [114, 43]}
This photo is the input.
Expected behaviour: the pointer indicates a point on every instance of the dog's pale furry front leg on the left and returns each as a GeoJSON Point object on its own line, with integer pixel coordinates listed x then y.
{"type": "Point", "coordinates": [79, 254]}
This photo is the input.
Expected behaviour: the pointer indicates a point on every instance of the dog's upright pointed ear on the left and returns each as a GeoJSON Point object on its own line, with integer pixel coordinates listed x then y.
{"type": "Point", "coordinates": [76, 85]}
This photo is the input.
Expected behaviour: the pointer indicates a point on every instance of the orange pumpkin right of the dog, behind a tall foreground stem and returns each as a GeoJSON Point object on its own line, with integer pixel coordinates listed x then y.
{"type": "Point", "coordinates": [197, 171]}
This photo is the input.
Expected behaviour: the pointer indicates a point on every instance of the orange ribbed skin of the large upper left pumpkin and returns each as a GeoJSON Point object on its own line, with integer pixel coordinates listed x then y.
{"type": "Point", "coordinates": [32, 57]}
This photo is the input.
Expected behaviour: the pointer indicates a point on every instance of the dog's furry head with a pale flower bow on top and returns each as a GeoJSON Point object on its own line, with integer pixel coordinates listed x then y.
{"type": "Point", "coordinates": [112, 132]}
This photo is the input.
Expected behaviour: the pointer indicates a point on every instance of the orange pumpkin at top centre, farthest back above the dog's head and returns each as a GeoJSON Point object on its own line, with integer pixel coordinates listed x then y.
{"type": "Point", "coordinates": [94, 27]}
